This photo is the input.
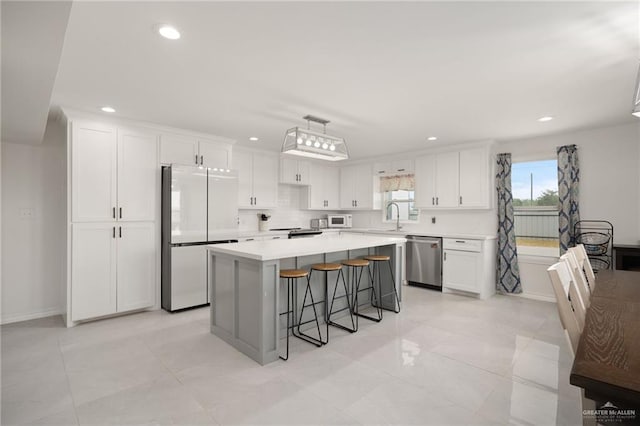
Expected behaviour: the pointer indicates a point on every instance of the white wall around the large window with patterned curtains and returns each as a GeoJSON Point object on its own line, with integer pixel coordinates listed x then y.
{"type": "Point", "coordinates": [609, 187]}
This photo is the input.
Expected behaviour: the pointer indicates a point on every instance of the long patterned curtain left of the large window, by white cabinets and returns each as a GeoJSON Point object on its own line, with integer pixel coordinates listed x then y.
{"type": "Point", "coordinates": [507, 269]}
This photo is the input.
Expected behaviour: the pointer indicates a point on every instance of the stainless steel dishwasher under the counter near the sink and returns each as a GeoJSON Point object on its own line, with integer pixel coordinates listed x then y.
{"type": "Point", "coordinates": [424, 261]}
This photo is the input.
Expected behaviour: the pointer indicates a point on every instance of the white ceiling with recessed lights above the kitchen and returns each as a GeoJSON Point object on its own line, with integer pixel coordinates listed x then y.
{"type": "Point", "coordinates": [387, 75]}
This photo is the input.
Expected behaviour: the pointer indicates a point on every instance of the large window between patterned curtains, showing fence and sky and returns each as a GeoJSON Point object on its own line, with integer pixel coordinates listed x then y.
{"type": "Point", "coordinates": [535, 203]}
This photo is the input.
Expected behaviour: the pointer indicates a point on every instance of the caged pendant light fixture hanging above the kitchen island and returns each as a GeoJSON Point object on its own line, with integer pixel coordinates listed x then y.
{"type": "Point", "coordinates": [314, 144]}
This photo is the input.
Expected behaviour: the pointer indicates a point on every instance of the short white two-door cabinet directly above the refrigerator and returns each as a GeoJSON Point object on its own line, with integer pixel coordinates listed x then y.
{"type": "Point", "coordinates": [192, 151]}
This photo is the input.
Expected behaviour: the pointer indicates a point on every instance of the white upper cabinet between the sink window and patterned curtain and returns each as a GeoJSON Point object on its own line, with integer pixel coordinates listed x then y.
{"type": "Point", "coordinates": [458, 179]}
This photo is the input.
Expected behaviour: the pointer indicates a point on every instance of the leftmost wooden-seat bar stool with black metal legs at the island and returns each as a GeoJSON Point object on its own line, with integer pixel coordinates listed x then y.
{"type": "Point", "coordinates": [292, 276]}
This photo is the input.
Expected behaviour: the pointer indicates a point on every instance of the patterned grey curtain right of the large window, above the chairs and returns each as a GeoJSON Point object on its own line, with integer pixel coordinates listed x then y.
{"type": "Point", "coordinates": [568, 180]}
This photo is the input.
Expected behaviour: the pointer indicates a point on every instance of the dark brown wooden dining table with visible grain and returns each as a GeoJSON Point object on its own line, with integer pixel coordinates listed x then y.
{"type": "Point", "coordinates": [607, 362]}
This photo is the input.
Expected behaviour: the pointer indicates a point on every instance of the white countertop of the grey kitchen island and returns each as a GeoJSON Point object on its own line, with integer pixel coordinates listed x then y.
{"type": "Point", "coordinates": [281, 249]}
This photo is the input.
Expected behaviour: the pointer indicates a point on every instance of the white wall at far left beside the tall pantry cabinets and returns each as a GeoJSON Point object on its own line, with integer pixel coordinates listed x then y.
{"type": "Point", "coordinates": [33, 248]}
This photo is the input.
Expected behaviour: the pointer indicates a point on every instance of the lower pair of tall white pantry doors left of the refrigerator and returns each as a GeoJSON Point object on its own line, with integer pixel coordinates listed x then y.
{"type": "Point", "coordinates": [113, 268]}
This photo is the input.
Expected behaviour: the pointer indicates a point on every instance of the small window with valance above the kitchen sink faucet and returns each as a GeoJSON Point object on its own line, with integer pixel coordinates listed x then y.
{"type": "Point", "coordinates": [399, 189]}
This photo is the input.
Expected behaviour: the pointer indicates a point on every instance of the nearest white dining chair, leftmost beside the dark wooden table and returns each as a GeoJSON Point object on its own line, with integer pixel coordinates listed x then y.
{"type": "Point", "coordinates": [571, 313]}
